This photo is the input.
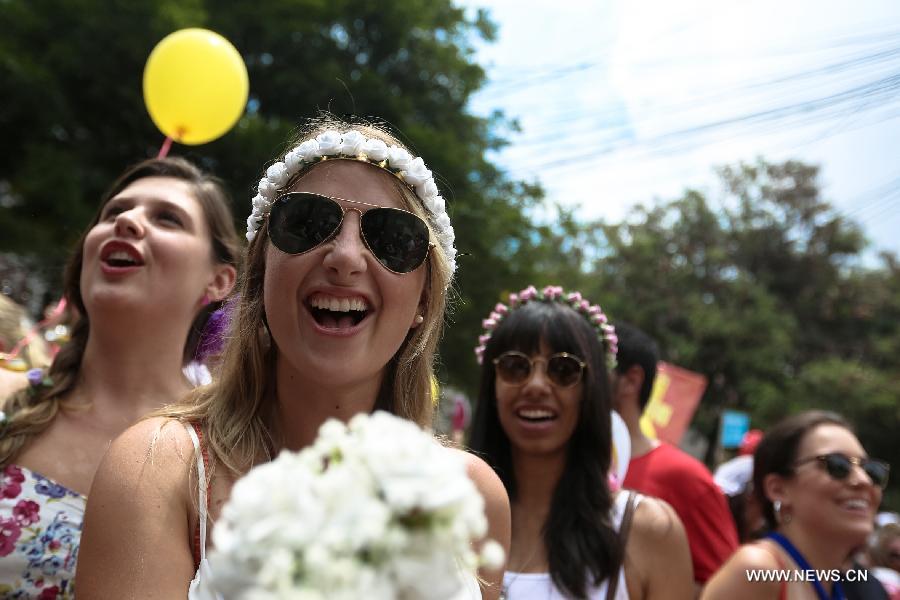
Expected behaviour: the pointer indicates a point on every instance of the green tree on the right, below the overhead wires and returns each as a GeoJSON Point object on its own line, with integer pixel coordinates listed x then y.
{"type": "Point", "coordinates": [767, 294]}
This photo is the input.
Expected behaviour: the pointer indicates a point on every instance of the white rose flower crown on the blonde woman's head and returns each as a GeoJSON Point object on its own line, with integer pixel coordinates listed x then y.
{"type": "Point", "coordinates": [352, 145]}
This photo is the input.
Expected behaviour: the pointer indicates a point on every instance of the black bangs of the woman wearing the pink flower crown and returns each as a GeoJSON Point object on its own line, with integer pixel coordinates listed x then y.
{"type": "Point", "coordinates": [523, 329]}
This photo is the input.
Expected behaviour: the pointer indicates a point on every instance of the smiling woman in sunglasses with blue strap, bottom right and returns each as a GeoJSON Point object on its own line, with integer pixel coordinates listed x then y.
{"type": "Point", "coordinates": [819, 492]}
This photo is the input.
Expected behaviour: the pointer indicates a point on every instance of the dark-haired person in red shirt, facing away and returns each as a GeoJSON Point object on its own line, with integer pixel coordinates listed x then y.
{"type": "Point", "coordinates": [662, 470]}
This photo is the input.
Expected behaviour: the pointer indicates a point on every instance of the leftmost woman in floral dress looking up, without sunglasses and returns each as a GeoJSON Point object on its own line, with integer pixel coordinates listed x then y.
{"type": "Point", "coordinates": [156, 260]}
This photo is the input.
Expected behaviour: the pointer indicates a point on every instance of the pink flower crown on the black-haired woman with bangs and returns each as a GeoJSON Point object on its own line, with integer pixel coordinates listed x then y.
{"type": "Point", "coordinates": [592, 312]}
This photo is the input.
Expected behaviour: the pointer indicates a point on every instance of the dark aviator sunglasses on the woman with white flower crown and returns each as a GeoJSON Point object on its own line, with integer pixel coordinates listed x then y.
{"type": "Point", "coordinates": [301, 221]}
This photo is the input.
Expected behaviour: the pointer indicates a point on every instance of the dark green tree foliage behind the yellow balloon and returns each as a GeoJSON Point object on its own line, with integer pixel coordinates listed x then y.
{"type": "Point", "coordinates": [73, 114]}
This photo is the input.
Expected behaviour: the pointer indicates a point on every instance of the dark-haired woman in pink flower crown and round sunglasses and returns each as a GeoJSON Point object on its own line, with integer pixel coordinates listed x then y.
{"type": "Point", "coordinates": [543, 423]}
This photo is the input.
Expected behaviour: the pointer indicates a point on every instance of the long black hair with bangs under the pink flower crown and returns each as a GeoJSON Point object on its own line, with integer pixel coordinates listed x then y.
{"type": "Point", "coordinates": [578, 537]}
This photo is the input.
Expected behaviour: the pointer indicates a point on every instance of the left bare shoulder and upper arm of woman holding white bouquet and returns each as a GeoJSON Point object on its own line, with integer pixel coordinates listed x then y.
{"type": "Point", "coordinates": [137, 527]}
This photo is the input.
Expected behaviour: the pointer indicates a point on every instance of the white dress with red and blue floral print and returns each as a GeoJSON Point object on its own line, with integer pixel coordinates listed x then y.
{"type": "Point", "coordinates": [40, 529]}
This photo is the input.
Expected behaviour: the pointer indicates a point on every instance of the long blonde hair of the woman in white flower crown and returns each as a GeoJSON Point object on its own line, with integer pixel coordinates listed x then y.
{"type": "Point", "coordinates": [237, 409]}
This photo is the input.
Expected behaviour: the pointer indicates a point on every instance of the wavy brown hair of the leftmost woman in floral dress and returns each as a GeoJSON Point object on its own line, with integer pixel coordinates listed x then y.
{"type": "Point", "coordinates": [29, 412]}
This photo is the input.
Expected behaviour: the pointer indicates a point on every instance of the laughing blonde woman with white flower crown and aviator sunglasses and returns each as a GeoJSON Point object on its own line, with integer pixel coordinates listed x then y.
{"type": "Point", "coordinates": [351, 255]}
